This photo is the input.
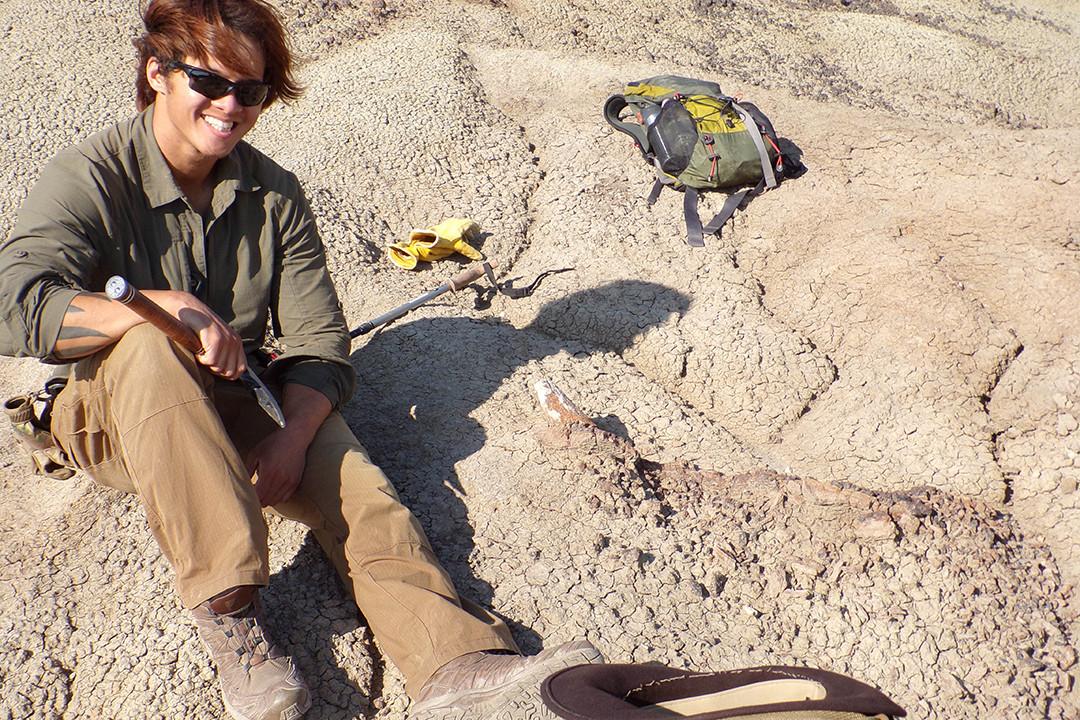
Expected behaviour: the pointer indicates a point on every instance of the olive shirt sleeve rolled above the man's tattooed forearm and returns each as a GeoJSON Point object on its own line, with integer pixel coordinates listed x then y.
{"type": "Point", "coordinates": [48, 257]}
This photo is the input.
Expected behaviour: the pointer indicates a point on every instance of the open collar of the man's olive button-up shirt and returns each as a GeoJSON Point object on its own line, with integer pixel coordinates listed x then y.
{"type": "Point", "coordinates": [229, 176]}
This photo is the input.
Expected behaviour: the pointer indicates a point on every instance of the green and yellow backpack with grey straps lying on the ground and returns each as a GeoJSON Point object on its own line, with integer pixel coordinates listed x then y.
{"type": "Point", "coordinates": [698, 139]}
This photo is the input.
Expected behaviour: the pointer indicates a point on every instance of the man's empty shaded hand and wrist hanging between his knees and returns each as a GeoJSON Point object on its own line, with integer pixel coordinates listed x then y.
{"type": "Point", "coordinates": [277, 464]}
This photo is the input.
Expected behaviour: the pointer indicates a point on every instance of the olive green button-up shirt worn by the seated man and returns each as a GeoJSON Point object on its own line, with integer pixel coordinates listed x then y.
{"type": "Point", "coordinates": [112, 207]}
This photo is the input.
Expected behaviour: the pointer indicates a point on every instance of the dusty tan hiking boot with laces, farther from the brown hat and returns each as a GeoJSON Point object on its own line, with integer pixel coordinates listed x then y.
{"type": "Point", "coordinates": [259, 682]}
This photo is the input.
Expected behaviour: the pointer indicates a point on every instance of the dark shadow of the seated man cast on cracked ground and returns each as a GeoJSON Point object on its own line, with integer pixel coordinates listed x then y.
{"type": "Point", "coordinates": [421, 382]}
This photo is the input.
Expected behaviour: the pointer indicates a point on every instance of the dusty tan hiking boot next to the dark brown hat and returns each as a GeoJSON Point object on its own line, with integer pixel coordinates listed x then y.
{"type": "Point", "coordinates": [482, 685]}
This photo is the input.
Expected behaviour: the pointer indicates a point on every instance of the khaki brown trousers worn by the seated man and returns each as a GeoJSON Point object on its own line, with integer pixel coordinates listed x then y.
{"type": "Point", "coordinates": [145, 418]}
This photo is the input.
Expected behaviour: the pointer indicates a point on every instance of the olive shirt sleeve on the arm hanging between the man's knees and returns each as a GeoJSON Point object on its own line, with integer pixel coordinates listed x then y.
{"type": "Point", "coordinates": [308, 318]}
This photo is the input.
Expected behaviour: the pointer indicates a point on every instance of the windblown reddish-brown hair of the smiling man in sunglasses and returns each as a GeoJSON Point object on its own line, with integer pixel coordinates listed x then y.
{"type": "Point", "coordinates": [177, 30]}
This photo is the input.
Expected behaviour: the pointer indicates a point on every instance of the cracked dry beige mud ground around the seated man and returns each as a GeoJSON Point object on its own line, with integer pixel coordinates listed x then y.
{"type": "Point", "coordinates": [845, 434]}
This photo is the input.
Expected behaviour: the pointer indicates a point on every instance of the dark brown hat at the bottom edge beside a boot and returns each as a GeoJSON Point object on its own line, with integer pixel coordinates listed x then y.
{"type": "Point", "coordinates": [640, 692]}
